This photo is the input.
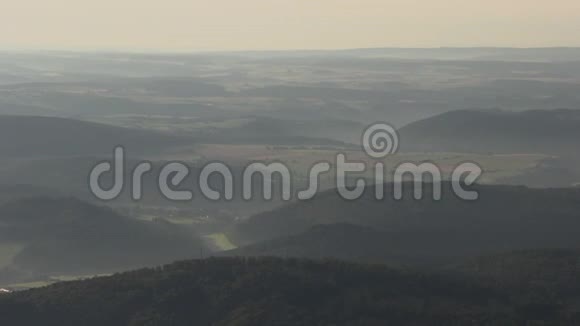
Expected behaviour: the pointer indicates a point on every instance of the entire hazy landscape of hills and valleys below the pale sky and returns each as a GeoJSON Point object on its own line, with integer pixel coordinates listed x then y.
{"type": "Point", "coordinates": [507, 258]}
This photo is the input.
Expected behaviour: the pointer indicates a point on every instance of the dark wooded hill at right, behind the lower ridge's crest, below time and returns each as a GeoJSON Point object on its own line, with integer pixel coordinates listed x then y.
{"type": "Point", "coordinates": [506, 208]}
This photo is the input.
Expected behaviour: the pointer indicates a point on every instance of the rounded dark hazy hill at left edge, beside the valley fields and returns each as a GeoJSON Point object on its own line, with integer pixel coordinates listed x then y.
{"type": "Point", "coordinates": [71, 237]}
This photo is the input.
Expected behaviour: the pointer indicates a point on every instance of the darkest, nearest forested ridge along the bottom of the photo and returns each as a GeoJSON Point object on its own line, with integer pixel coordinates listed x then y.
{"type": "Point", "coordinates": [269, 291]}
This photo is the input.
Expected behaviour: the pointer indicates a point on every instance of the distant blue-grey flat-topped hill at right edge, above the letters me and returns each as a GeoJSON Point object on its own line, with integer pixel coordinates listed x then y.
{"type": "Point", "coordinates": [495, 131]}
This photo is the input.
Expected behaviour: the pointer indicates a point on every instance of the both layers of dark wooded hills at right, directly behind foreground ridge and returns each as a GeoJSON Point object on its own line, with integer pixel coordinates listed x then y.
{"type": "Point", "coordinates": [505, 218]}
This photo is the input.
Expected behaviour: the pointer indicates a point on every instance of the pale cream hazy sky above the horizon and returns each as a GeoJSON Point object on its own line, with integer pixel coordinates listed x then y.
{"type": "Point", "coordinates": [286, 24]}
